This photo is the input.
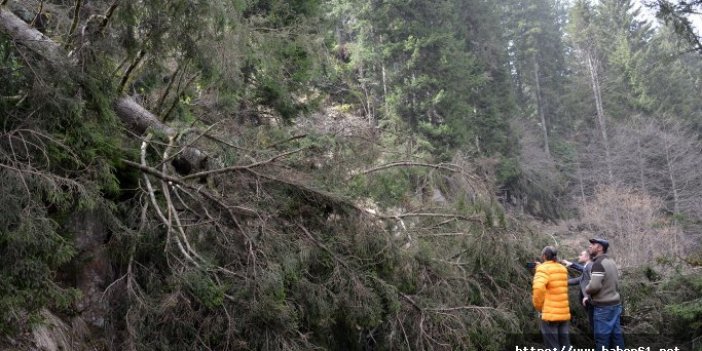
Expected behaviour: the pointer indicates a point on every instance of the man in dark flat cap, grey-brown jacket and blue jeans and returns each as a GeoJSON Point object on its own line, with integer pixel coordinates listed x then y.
{"type": "Point", "coordinates": [603, 291]}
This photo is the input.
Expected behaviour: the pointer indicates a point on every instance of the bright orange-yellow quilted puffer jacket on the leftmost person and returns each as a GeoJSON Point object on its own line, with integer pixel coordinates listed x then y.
{"type": "Point", "coordinates": [551, 292]}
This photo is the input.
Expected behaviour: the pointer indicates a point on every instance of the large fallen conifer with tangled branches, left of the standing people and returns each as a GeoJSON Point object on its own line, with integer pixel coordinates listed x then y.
{"type": "Point", "coordinates": [272, 254]}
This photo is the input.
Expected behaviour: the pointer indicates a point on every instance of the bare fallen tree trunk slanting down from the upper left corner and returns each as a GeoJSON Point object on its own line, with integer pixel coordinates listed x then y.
{"type": "Point", "coordinates": [136, 117]}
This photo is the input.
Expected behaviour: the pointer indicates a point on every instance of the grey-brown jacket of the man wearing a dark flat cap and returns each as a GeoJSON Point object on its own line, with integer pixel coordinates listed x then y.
{"type": "Point", "coordinates": [603, 287]}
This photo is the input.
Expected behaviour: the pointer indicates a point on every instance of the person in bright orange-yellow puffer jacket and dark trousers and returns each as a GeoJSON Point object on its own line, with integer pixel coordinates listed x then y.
{"type": "Point", "coordinates": [550, 298]}
